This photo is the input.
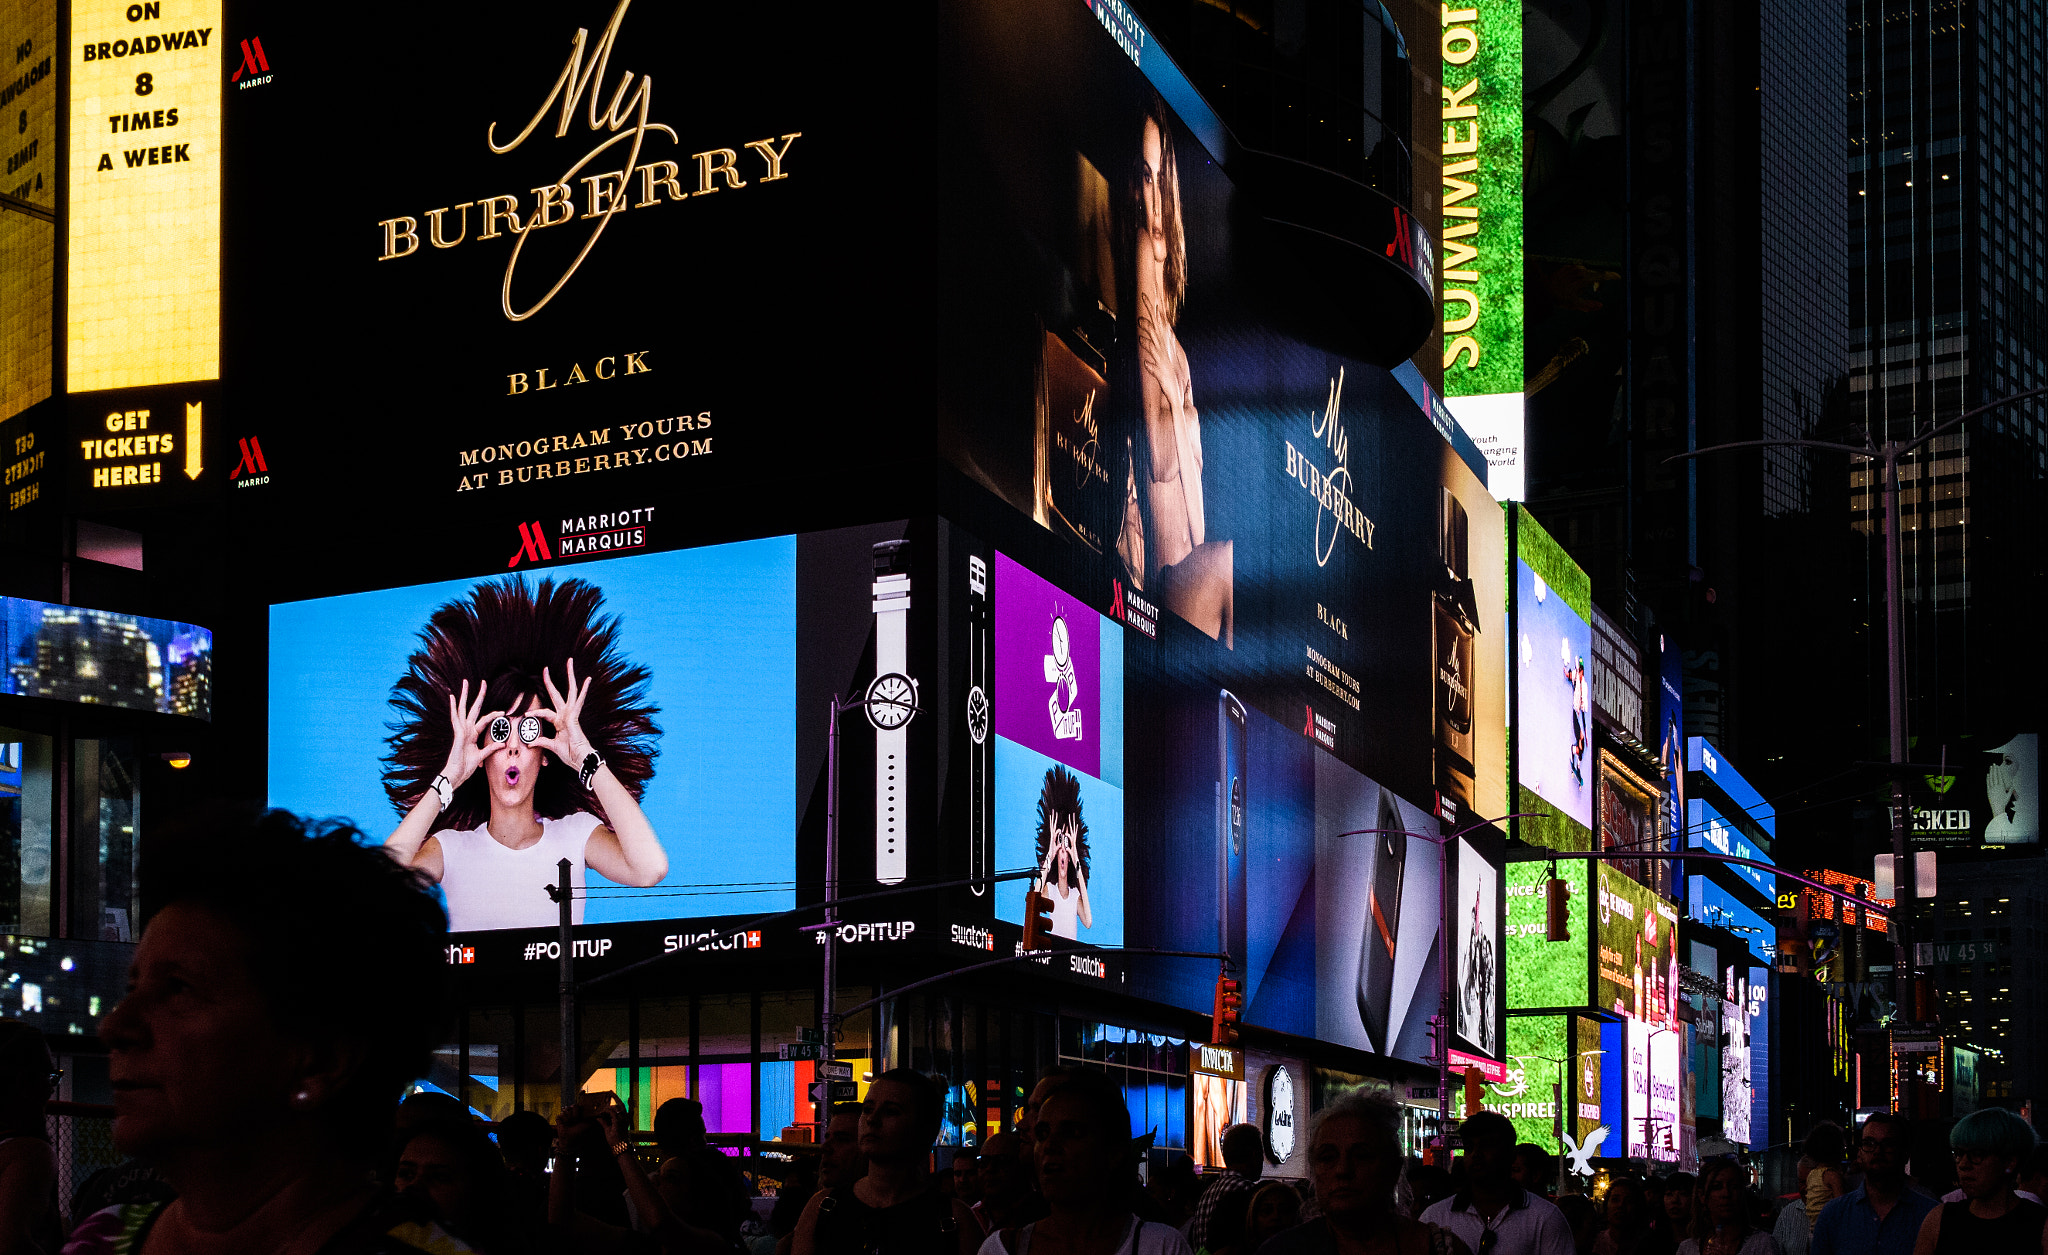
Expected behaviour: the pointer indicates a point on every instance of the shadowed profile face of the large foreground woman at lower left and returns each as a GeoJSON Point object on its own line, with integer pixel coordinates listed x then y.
{"type": "Point", "coordinates": [196, 1055]}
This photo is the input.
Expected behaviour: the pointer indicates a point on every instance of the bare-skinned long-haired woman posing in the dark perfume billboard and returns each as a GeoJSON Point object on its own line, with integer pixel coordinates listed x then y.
{"type": "Point", "coordinates": [1164, 537]}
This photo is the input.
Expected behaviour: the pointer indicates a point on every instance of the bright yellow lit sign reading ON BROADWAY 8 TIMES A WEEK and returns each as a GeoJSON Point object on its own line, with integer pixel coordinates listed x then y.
{"type": "Point", "coordinates": [144, 236]}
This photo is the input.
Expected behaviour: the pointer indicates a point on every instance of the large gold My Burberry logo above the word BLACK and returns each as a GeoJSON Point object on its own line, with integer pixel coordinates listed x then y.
{"type": "Point", "coordinates": [607, 193]}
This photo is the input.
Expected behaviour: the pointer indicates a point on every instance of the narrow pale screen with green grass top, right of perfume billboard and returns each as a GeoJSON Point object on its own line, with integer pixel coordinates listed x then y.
{"type": "Point", "coordinates": [1553, 642]}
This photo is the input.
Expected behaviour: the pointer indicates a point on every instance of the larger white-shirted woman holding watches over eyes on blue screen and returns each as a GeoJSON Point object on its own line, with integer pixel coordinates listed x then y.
{"type": "Point", "coordinates": [521, 740]}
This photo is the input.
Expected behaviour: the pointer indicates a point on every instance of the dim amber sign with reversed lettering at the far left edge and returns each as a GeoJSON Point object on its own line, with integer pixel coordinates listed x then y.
{"type": "Point", "coordinates": [28, 239]}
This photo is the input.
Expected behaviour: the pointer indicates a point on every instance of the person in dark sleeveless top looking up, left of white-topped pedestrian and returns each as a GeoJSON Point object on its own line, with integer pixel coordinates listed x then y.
{"type": "Point", "coordinates": [896, 1207]}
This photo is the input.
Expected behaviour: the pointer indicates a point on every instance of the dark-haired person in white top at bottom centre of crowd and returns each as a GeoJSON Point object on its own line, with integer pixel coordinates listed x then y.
{"type": "Point", "coordinates": [1082, 1156]}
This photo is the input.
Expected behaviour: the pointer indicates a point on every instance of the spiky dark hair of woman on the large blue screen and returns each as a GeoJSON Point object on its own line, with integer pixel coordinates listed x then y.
{"type": "Point", "coordinates": [503, 634]}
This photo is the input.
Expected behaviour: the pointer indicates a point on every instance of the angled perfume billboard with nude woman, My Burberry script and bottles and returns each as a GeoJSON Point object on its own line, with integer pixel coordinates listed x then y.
{"type": "Point", "coordinates": [1117, 410]}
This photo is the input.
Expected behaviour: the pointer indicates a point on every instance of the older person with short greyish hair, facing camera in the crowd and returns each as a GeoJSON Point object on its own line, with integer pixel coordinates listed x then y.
{"type": "Point", "coordinates": [1355, 1160]}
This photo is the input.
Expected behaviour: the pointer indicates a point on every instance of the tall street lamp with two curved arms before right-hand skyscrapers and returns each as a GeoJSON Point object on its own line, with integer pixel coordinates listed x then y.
{"type": "Point", "coordinates": [1889, 456]}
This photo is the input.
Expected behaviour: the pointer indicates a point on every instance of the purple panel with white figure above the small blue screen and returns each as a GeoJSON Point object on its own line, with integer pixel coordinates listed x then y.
{"type": "Point", "coordinates": [1048, 670]}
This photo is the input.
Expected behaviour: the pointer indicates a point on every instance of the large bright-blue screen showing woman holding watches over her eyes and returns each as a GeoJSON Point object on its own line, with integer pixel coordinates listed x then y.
{"type": "Point", "coordinates": [706, 673]}
